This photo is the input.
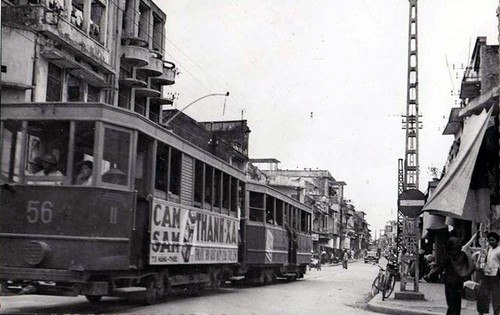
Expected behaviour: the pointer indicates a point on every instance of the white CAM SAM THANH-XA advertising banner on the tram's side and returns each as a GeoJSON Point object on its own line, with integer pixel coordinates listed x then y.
{"type": "Point", "coordinates": [182, 235]}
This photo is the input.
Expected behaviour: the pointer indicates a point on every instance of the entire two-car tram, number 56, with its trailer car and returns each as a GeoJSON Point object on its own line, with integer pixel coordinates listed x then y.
{"type": "Point", "coordinates": [100, 201]}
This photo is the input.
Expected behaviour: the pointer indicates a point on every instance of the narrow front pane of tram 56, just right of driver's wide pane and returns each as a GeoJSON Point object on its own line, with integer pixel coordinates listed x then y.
{"type": "Point", "coordinates": [83, 156]}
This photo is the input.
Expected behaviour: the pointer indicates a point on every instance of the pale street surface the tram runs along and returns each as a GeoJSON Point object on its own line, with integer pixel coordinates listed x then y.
{"type": "Point", "coordinates": [332, 290]}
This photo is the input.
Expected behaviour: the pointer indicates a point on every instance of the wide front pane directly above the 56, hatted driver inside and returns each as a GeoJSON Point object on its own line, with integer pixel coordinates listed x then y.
{"type": "Point", "coordinates": [47, 152]}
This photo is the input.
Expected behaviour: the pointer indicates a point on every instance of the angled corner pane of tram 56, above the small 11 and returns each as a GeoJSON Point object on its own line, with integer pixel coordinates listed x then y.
{"type": "Point", "coordinates": [116, 156]}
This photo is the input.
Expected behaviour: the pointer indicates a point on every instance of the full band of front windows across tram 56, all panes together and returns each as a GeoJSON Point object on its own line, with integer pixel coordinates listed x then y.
{"type": "Point", "coordinates": [62, 153]}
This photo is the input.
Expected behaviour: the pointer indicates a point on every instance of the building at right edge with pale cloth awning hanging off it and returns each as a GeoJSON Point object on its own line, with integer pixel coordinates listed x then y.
{"type": "Point", "coordinates": [469, 188]}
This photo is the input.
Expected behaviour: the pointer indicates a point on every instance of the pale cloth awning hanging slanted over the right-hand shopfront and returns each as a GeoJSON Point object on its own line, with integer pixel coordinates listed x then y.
{"type": "Point", "coordinates": [452, 196]}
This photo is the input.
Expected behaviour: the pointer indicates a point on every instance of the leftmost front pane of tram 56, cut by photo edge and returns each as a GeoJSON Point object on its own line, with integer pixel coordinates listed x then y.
{"type": "Point", "coordinates": [11, 151]}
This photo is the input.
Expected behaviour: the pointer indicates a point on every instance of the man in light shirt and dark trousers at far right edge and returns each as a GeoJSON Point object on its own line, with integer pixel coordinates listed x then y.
{"type": "Point", "coordinates": [489, 290]}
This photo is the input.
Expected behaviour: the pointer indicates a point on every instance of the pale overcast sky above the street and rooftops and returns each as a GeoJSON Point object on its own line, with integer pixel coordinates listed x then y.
{"type": "Point", "coordinates": [322, 84]}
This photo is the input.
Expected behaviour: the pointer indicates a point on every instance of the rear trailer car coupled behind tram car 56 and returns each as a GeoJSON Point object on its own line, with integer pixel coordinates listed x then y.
{"type": "Point", "coordinates": [277, 233]}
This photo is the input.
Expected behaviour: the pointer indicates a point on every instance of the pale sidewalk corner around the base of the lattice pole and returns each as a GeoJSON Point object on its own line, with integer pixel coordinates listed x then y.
{"type": "Point", "coordinates": [434, 303]}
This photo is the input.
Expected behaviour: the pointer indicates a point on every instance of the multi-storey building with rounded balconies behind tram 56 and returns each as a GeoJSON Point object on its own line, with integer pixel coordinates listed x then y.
{"type": "Point", "coordinates": [86, 51]}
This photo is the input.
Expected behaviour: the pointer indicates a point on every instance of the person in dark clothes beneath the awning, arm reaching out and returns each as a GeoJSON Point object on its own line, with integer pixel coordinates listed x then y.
{"type": "Point", "coordinates": [458, 266]}
